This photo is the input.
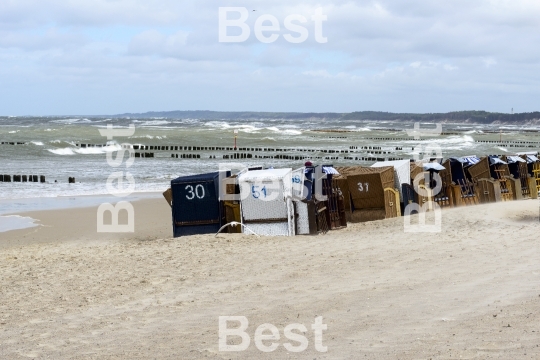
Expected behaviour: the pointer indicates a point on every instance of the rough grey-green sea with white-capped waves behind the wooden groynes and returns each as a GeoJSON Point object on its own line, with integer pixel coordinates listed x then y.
{"type": "Point", "coordinates": [50, 147]}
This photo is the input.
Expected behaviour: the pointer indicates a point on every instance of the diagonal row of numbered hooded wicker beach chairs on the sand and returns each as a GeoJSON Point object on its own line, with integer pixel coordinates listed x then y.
{"type": "Point", "coordinates": [284, 202]}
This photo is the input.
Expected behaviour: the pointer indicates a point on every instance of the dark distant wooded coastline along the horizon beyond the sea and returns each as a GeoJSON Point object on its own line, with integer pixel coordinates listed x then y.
{"type": "Point", "coordinates": [482, 117]}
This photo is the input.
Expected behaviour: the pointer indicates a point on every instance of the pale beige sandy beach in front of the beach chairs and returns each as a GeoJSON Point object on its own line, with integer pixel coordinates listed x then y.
{"type": "Point", "coordinates": [470, 292]}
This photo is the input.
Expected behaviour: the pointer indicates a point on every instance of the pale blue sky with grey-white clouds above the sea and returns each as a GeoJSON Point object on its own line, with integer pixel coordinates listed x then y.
{"type": "Point", "coordinates": [114, 56]}
